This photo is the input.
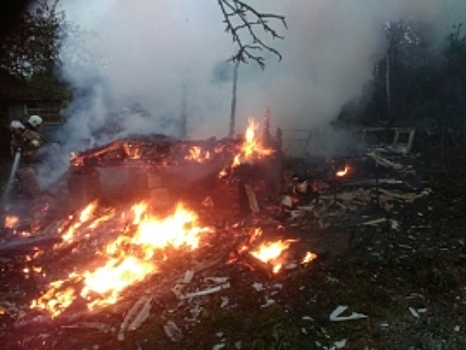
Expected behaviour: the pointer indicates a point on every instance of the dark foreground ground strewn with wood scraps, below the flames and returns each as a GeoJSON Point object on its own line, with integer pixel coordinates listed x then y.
{"type": "Point", "coordinates": [384, 278]}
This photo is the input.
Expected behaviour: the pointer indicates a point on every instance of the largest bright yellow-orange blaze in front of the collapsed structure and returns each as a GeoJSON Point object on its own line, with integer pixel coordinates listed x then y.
{"type": "Point", "coordinates": [128, 259]}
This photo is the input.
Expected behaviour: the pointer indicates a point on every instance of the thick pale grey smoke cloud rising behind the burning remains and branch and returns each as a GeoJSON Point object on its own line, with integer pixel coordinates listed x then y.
{"type": "Point", "coordinates": [148, 62]}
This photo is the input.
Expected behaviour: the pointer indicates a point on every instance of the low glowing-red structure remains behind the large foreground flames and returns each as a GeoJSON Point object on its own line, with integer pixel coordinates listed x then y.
{"type": "Point", "coordinates": [165, 170]}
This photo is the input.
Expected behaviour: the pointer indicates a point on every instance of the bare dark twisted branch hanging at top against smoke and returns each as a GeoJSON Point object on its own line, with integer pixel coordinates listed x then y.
{"type": "Point", "coordinates": [236, 15]}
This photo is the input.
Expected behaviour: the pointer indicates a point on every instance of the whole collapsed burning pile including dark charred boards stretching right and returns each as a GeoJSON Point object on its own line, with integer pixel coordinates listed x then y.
{"type": "Point", "coordinates": [157, 223]}
